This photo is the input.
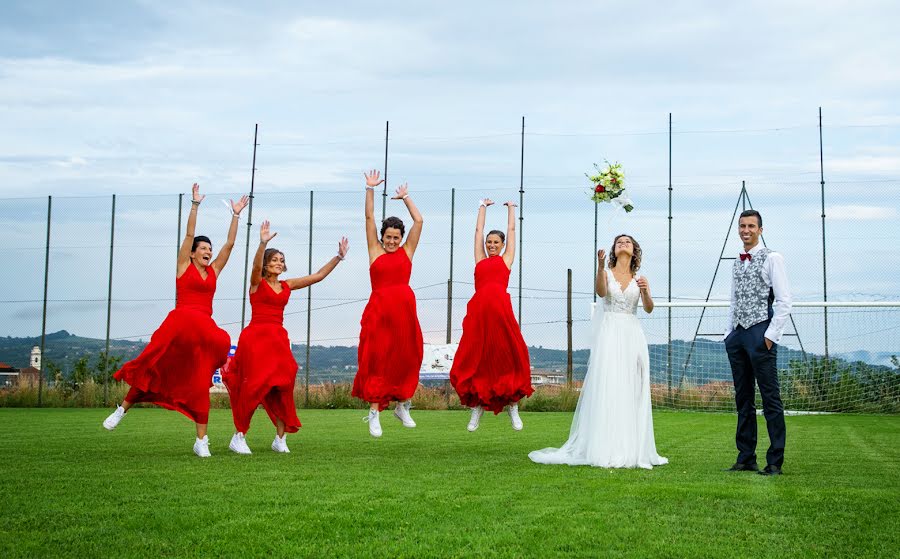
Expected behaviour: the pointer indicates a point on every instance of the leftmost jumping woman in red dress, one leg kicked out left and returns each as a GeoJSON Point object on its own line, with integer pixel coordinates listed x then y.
{"type": "Point", "coordinates": [175, 369]}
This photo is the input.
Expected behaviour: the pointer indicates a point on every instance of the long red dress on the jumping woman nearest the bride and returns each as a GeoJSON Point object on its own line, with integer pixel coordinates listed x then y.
{"type": "Point", "coordinates": [491, 367]}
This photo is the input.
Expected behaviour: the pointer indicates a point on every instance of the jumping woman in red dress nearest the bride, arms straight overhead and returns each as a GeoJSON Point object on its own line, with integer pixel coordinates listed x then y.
{"type": "Point", "coordinates": [491, 369]}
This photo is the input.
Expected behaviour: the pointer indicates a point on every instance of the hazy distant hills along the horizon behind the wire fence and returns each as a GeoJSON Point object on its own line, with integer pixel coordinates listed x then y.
{"type": "Point", "coordinates": [708, 361]}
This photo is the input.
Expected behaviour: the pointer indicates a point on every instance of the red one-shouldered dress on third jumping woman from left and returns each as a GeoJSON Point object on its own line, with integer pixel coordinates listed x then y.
{"type": "Point", "coordinates": [390, 343]}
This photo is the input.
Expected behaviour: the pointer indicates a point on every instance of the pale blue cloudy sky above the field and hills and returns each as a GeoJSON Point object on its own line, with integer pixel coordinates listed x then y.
{"type": "Point", "coordinates": [141, 99]}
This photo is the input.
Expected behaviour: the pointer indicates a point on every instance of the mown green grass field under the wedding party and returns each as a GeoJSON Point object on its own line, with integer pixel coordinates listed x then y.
{"type": "Point", "coordinates": [70, 488]}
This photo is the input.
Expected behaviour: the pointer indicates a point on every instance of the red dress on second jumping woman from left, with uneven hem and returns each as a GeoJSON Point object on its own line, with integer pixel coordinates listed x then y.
{"type": "Point", "coordinates": [264, 370]}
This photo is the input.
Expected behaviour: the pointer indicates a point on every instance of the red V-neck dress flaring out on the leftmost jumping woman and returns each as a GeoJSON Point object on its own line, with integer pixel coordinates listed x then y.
{"type": "Point", "coordinates": [175, 369]}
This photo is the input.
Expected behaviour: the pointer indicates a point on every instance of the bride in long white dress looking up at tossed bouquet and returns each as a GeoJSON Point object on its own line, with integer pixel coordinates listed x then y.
{"type": "Point", "coordinates": [613, 424]}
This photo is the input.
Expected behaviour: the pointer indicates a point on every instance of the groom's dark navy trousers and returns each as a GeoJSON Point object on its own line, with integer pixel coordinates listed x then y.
{"type": "Point", "coordinates": [750, 360]}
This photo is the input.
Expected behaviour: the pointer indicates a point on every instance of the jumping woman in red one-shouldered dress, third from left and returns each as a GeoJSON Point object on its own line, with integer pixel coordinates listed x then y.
{"type": "Point", "coordinates": [390, 342]}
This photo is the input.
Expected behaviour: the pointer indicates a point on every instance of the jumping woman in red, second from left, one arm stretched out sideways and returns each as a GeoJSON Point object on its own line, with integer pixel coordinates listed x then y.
{"type": "Point", "coordinates": [263, 370]}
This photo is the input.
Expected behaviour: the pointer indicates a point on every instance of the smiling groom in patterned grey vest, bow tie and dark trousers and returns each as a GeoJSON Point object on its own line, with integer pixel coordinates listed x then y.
{"type": "Point", "coordinates": [760, 307]}
